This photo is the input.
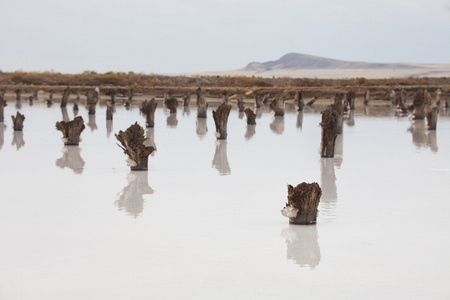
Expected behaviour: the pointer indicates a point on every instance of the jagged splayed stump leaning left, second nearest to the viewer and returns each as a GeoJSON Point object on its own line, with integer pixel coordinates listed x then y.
{"type": "Point", "coordinates": [132, 141]}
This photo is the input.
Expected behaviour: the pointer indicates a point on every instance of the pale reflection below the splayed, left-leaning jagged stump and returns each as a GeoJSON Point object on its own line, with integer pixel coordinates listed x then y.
{"type": "Point", "coordinates": [131, 198]}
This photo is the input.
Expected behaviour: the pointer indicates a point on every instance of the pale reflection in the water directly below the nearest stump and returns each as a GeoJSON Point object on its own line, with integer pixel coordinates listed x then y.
{"type": "Point", "coordinates": [302, 245]}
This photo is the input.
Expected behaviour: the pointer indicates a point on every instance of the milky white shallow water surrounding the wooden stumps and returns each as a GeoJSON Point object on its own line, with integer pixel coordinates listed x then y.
{"type": "Point", "coordinates": [204, 221]}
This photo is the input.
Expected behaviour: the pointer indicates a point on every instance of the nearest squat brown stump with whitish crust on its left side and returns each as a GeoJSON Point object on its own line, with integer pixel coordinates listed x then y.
{"type": "Point", "coordinates": [303, 203]}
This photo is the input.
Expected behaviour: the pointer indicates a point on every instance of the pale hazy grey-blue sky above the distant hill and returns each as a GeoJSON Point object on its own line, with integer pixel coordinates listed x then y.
{"type": "Point", "coordinates": [177, 36]}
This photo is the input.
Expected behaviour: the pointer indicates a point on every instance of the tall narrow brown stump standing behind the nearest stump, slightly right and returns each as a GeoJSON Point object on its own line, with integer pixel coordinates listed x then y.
{"type": "Point", "coordinates": [329, 125]}
